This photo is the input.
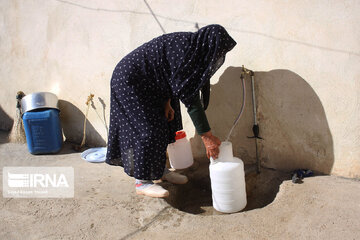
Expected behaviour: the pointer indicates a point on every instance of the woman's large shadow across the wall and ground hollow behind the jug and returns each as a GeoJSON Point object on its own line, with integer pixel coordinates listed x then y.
{"type": "Point", "coordinates": [292, 122]}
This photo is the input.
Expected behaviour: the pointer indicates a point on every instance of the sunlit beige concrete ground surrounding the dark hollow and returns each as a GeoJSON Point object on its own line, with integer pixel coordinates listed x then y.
{"type": "Point", "coordinates": [105, 206]}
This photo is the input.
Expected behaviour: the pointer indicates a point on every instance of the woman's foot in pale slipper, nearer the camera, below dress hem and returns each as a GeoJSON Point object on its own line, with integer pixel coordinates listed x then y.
{"type": "Point", "coordinates": [150, 189]}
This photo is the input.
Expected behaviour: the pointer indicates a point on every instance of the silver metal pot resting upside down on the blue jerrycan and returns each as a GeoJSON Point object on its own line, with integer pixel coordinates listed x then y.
{"type": "Point", "coordinates": [39, 100]}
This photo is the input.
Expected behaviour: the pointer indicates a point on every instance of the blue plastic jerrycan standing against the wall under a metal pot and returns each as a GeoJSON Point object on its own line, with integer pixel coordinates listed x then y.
{"type": "Point", "coordinates": [43, 131]}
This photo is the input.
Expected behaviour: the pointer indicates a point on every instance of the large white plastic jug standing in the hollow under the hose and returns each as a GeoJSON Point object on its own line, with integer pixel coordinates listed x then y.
{"type": "Point", "coordinates": [227, 181]}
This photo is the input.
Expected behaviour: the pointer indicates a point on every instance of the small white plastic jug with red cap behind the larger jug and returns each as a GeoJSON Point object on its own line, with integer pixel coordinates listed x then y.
{"type": "Point", "coordinates": [180, 154]}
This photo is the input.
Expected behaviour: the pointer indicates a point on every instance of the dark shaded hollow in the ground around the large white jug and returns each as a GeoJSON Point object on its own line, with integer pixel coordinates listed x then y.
{"type": "Point", "coordinates": [195, 196]}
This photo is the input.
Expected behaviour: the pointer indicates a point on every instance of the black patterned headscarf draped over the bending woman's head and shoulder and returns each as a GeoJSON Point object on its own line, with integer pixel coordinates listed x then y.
{"type": "Point", "coordinates": [203, 57]}
